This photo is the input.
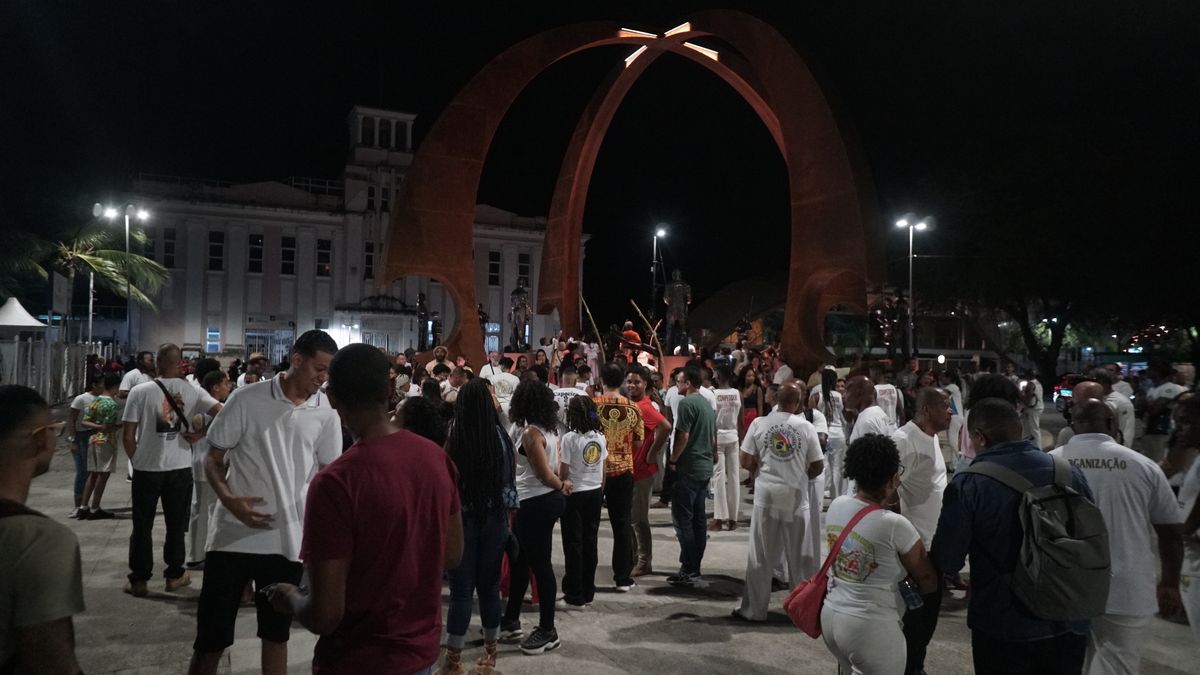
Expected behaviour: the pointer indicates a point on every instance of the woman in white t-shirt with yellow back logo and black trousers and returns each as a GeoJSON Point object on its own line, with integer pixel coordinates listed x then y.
{"type": "Point", "coordinates": [584, 452]}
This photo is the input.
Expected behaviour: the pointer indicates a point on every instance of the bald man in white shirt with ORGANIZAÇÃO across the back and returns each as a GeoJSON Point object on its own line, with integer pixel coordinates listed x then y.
{"type": "Point", "coordinates": [1132, 493]}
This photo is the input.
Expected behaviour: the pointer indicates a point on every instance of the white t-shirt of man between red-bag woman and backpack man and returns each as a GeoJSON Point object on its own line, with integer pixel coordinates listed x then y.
{"type": "Point", "coordinates": [923, 481]}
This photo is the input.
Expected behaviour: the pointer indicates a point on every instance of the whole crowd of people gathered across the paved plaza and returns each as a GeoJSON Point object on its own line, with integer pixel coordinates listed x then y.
{"type": "Point", "coordinates": [349, 487]}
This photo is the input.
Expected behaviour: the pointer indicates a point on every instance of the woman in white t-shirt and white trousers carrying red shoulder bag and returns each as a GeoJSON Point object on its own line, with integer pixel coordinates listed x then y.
{"type": "Point", "coordinates": [861, 618]}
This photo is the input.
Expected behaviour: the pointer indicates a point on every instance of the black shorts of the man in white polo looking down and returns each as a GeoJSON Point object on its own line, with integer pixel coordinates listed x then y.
{"type": "Point", "coordinates": [225, 577]}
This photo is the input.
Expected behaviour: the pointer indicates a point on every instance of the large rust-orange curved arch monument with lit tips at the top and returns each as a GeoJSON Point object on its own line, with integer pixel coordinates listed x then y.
{"type": "Point", "coordinates": [831, 249]}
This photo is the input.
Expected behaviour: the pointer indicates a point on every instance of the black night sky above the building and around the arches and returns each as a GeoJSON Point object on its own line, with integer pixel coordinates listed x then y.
{"type": "Point", "coordinates": [952, 103]}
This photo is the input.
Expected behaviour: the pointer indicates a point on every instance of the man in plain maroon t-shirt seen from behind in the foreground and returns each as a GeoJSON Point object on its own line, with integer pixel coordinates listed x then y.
{"type": "Point", "coordinates": [382, 525]}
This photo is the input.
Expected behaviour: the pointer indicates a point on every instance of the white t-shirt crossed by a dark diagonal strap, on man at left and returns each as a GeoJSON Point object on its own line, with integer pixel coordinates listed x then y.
{"type": "Point", "coordinates": [161, 445]}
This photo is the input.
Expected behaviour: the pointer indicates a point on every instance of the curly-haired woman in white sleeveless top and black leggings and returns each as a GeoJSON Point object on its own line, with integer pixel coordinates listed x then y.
{"type": "Point", "coordinates": [543, 498]}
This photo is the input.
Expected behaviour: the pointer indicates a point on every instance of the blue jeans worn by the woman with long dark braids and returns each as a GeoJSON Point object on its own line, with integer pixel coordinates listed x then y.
{"type": "Point", "coordinates": [484, 540]}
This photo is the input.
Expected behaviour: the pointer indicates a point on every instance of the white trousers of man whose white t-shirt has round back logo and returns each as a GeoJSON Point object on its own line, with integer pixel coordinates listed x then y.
{"type": "Point", "coordinates": [770, 539]}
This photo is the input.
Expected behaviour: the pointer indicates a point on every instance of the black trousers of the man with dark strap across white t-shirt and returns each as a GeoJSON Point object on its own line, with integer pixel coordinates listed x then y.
{"type": "Point", "coordinates": [175, 488]}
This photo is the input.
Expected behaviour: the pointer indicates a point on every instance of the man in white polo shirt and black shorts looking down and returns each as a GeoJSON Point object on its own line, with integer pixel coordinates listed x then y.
{"type": "Point", "coordinates": [273, 437]}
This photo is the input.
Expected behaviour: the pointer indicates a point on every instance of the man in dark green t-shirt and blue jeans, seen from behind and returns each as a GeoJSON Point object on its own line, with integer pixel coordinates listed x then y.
{"type": "Point", "coordinates": [692, 458]}
